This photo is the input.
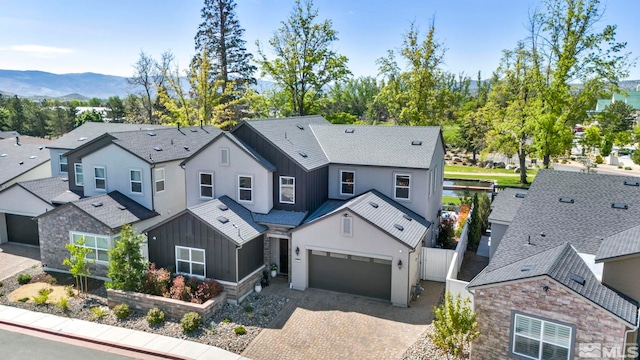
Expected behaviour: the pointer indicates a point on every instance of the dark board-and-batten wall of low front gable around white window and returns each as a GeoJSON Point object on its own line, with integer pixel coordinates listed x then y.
{"type": "Point", "coordinates": [188, 231]}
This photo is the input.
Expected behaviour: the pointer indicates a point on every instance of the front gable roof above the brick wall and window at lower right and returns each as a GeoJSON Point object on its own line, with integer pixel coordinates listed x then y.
{"type": "Point", "coordinates": [563, 264]}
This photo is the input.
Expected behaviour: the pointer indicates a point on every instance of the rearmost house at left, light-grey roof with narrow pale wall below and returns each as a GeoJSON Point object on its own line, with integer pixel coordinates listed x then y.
{"type": "Point", "coordinates": [81, 135]}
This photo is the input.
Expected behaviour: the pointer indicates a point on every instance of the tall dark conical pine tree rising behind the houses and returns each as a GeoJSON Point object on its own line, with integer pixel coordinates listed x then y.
{"type": "Point", "coordinates": [220, 36]}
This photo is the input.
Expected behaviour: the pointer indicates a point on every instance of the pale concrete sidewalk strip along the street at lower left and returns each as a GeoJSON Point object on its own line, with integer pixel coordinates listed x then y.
{"type": "Point", "coordinates": [99, 334]}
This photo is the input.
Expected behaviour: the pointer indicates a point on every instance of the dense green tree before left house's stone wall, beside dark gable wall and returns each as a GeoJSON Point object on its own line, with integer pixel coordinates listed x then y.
{"type": "Point", "coordinates": [127, 266]}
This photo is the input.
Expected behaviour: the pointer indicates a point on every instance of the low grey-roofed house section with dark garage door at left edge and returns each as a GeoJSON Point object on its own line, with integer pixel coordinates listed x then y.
{"type": "Point", "coordinates": [21, 202]}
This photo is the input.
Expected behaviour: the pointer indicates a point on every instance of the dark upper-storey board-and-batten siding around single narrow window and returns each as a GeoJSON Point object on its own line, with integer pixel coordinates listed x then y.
{"type": "Point", "coordinates": [311, 187]}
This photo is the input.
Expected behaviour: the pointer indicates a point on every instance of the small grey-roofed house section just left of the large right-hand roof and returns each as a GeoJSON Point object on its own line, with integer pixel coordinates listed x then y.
{"type": "Point", "coordinates": [503, 210]}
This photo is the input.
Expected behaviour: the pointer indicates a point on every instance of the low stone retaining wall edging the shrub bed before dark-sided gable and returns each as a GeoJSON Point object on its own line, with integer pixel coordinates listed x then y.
{"type": "Point", "coordinates": [172, 308]}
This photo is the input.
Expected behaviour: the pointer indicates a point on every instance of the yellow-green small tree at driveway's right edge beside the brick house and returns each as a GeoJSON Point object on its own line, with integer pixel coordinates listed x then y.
{"type": "Point", "coordinates": [454, 326]}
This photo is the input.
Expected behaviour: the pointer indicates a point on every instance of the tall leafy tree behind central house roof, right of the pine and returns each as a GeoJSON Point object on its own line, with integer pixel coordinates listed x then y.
{"type": "Point", "coordinates": [304, 64]}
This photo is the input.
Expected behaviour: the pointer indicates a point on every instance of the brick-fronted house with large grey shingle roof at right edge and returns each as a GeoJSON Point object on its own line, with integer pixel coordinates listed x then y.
{"type": "Point", "coordinates": [564, 276]}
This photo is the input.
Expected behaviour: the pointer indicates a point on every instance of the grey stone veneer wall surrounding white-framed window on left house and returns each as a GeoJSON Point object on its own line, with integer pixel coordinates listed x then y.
{"type": "Point", "coordinates": [54, 230]}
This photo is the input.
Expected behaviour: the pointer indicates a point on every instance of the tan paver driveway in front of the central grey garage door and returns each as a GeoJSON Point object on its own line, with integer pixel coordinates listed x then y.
{"type": "Point", "coordinates": [319, 324]}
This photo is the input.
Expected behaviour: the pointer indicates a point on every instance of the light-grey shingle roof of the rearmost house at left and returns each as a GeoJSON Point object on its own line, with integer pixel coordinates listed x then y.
{"type": "Point", "coordinates": [91, 130]}
